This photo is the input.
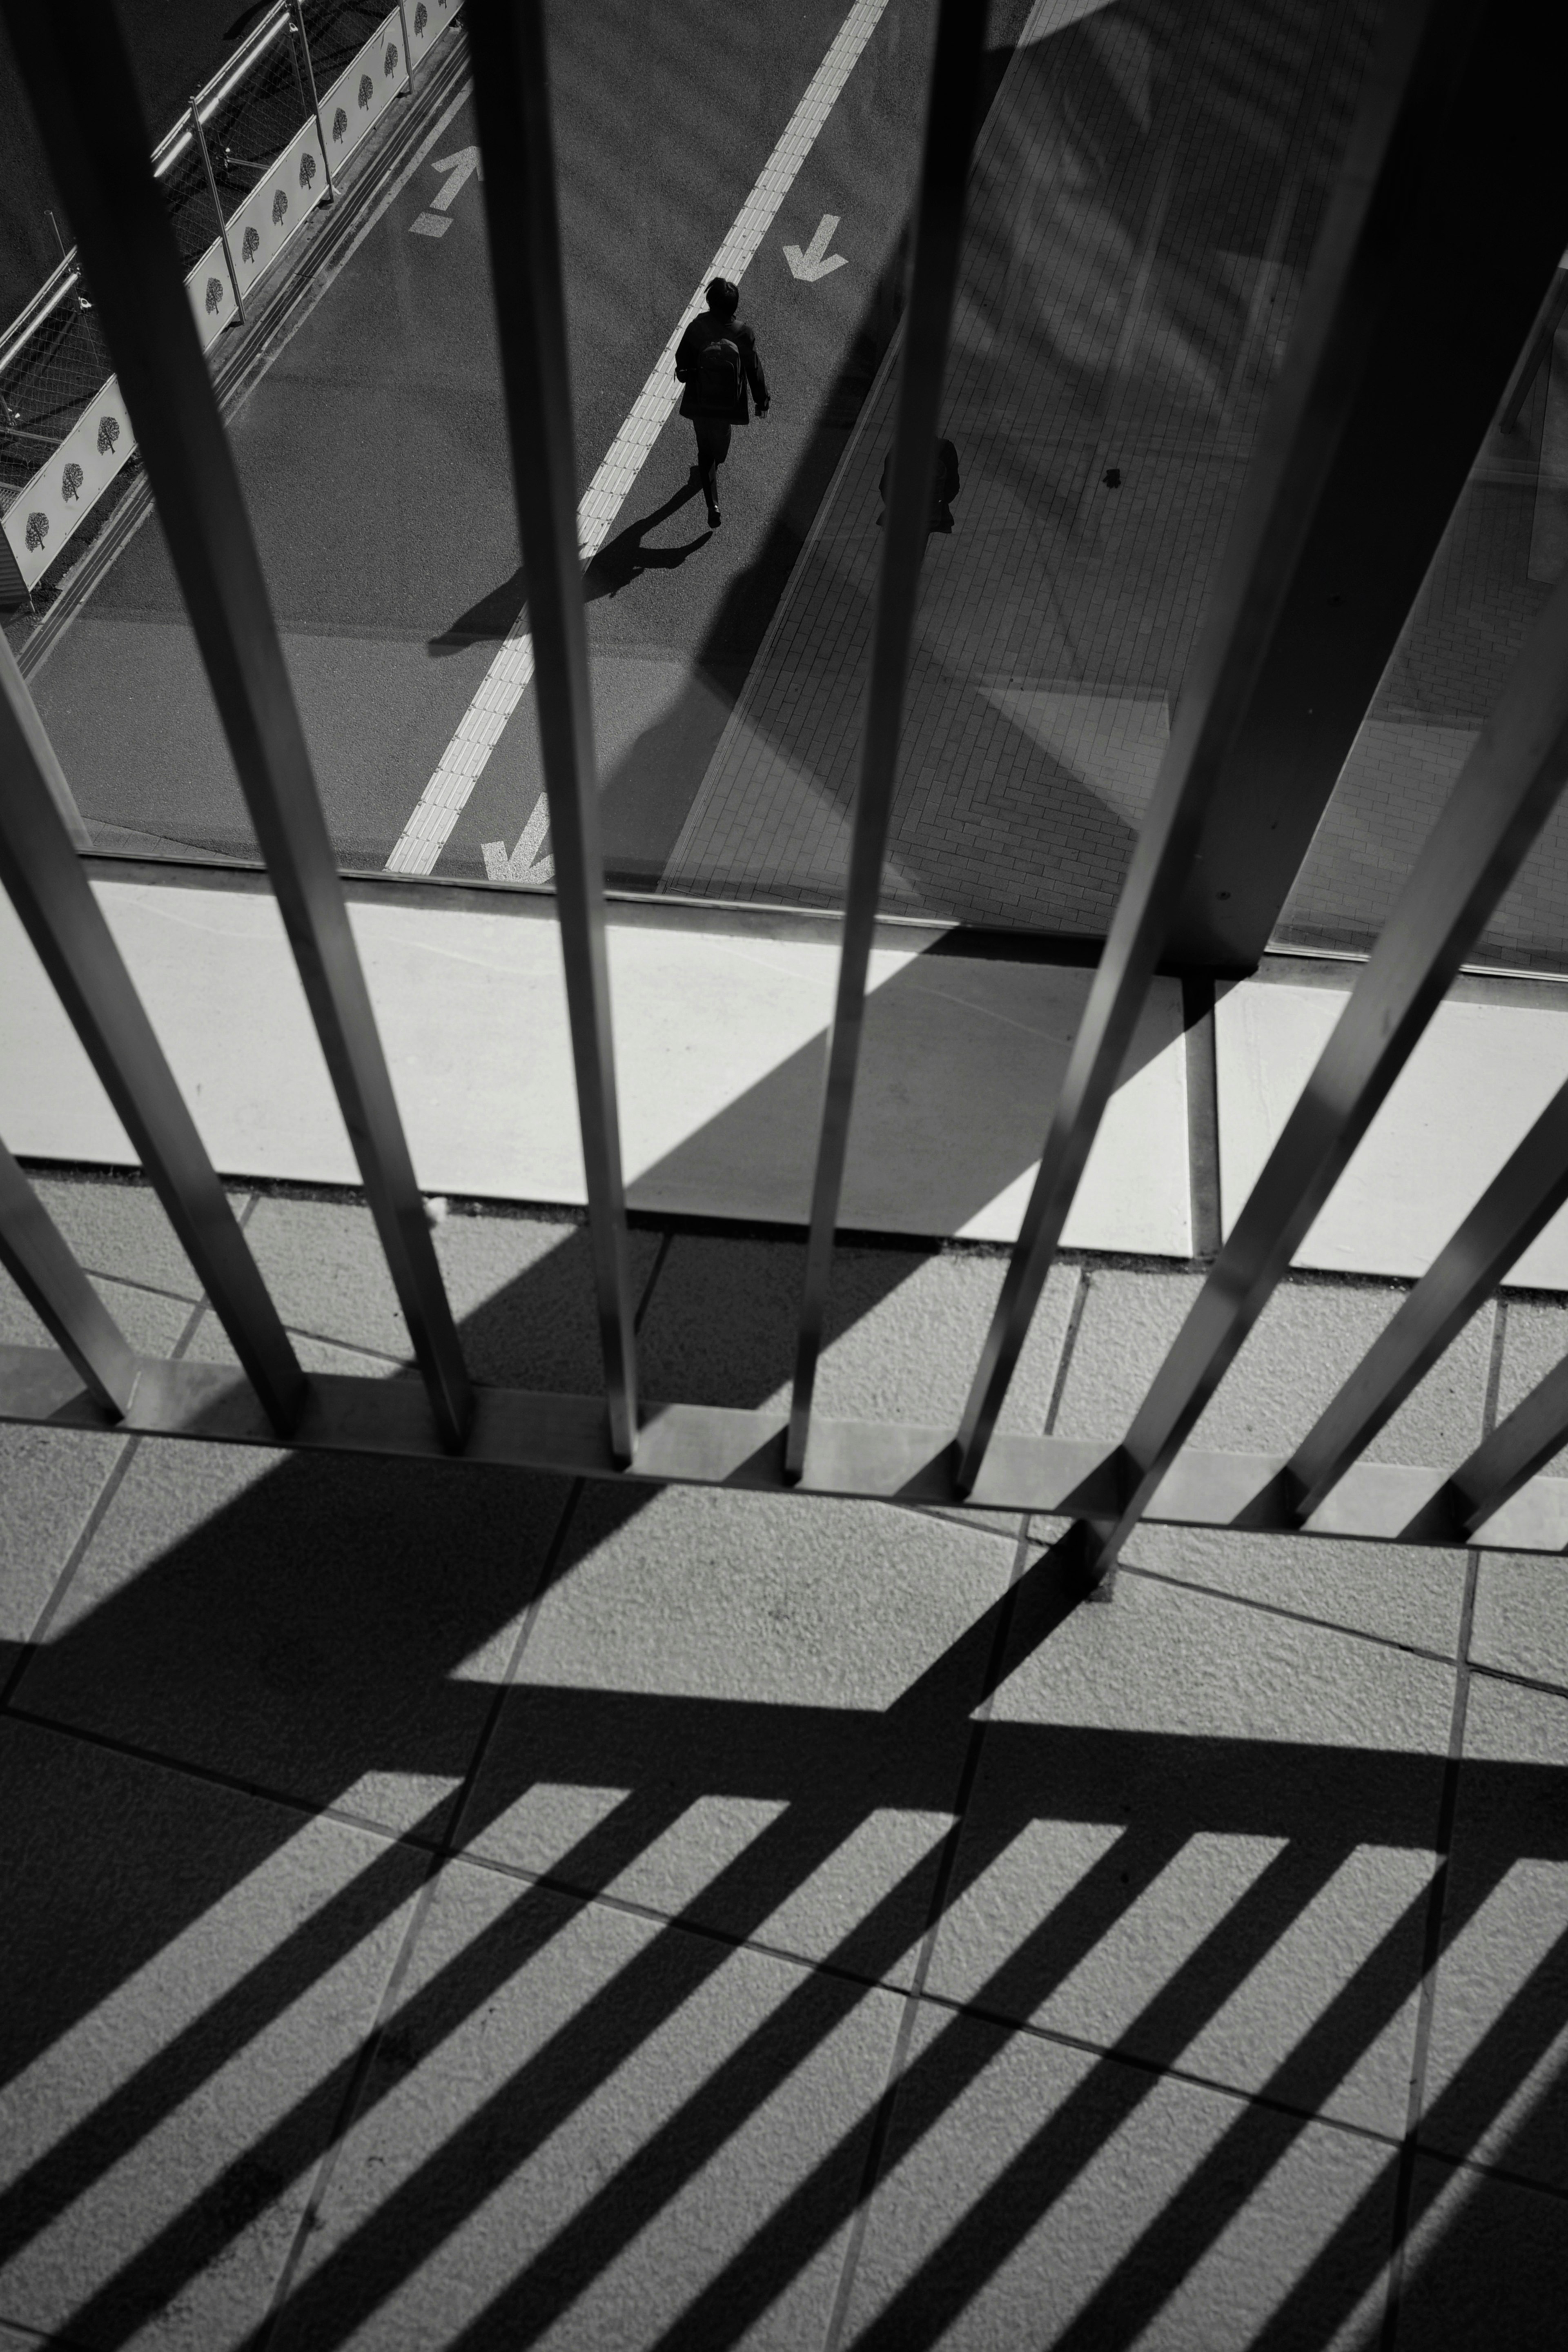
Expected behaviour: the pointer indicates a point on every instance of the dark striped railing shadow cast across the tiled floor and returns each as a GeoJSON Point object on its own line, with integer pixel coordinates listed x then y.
{"type": "Point", "coordinates": [314, 1638]}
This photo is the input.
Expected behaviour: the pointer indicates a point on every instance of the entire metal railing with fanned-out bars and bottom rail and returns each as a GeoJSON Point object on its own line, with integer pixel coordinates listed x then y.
{"type": "Point", "coordinates": [1442, 83]}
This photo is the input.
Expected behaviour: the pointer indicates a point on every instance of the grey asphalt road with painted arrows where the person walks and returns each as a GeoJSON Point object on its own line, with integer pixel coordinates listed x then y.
{"type": "Point", "coordinates": [375, 455]}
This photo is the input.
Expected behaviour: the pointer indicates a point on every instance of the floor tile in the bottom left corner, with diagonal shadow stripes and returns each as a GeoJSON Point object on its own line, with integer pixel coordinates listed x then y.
{"type": "Point", "coordinates": [189, 1975]}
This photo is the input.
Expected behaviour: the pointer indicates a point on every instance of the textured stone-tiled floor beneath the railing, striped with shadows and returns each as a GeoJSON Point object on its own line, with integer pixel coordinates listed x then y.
{"type": "Point", "coordinates": [460, 1909]}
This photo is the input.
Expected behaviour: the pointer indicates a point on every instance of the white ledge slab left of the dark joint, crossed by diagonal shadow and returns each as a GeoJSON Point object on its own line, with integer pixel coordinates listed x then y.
{"type": "Point", "coordinates": [721, 1050]}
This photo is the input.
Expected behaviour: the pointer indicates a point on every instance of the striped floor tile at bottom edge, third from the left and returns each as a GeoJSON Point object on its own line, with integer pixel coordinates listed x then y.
{"type": "Point", "coordinates": [1043, 2196]}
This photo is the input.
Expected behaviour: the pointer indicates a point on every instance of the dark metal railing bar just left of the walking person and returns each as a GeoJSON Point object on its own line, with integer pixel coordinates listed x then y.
{"type": "Point", "coordinates": [514, 112]}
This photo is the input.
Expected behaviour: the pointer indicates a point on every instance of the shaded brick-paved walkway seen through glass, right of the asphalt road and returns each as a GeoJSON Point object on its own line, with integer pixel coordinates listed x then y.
{"type": "Point", "coordinates": [1141, 215]}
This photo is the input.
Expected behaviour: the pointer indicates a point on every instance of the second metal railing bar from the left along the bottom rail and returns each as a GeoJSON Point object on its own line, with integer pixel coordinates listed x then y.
{"type": "Point", "coordinates": [53, 897]}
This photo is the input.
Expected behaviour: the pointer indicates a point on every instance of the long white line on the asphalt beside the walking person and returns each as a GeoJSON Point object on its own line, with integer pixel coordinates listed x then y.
{"type": "Point", "coordinates": [509, 676]}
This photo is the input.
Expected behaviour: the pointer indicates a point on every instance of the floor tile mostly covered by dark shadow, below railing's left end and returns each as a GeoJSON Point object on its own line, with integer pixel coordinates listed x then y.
{"type": "Point", "coordinates": [328, 1629]}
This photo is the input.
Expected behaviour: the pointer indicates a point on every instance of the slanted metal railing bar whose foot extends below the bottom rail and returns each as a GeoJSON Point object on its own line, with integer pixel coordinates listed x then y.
{"type": "Point", "coordinates": [1501, 801]}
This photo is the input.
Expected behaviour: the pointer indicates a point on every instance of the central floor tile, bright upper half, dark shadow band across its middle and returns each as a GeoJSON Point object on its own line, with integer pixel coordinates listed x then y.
{"type": "Point", "coordinates": [749, 1709]}
